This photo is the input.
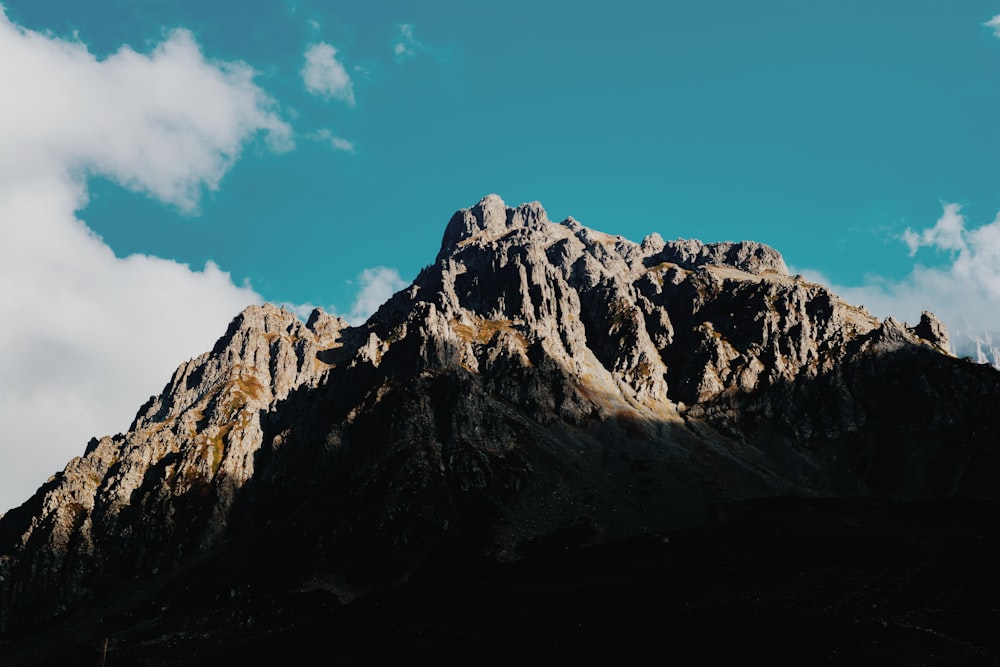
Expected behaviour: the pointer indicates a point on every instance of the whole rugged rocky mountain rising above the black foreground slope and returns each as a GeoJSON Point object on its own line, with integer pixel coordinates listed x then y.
{"type": "Point", "coordinates": [540, 387]}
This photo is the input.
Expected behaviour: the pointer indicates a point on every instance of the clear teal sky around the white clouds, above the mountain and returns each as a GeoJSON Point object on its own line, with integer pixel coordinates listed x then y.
{"type": "Point", "coordinates": [824, 129]}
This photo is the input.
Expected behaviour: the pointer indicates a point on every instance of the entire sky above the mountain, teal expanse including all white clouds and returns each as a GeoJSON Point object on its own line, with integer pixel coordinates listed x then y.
{"type": "Point", "coordinates": [165, 163]}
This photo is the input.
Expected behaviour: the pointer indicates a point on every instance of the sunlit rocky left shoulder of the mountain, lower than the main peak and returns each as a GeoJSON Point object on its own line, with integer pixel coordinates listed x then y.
{"type": "Point", "coordinates": [139, 501]}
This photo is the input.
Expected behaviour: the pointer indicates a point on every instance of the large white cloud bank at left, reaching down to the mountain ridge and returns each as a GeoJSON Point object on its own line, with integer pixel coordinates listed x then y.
{"type": "Point", "coordinates": [87, 336]}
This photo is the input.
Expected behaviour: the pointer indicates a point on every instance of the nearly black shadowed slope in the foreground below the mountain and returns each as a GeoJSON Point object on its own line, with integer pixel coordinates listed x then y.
{"type": "Point", "coordinates": [790, 581]}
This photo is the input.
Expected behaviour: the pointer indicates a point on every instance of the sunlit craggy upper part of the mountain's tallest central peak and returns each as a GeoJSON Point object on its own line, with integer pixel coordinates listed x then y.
{"type": "Point", "coordinates": [659, 321]}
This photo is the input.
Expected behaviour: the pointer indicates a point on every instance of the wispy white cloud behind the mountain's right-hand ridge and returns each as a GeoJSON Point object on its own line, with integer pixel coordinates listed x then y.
{"type": "Point", "coordinates": [964, 292]}
